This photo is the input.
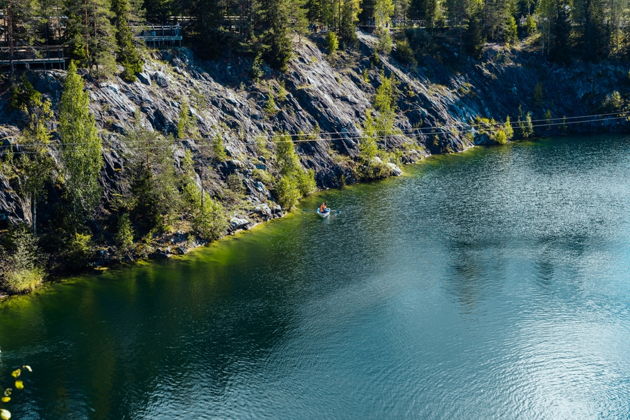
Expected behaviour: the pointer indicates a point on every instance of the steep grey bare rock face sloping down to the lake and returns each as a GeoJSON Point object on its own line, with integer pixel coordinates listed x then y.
{"type": "Point", "coordinates": [322, 97]}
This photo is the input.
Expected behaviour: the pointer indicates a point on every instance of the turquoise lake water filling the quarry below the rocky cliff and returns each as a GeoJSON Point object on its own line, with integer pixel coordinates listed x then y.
{"type": "Point", "coordinates": [491, 284]}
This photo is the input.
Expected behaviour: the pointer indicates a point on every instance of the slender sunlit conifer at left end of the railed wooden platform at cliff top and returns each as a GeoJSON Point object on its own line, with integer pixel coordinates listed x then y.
{"type": "Point", "coordinates": [127, 53]}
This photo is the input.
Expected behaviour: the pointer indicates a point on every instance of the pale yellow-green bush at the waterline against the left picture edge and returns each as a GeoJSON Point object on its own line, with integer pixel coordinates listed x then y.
{"type": "Point", "coordinates": [20, 267]}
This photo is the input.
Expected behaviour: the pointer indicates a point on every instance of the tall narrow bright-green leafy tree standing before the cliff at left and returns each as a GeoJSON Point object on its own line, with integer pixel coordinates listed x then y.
{"type": "Point", "coordinates": [81, 146]}
